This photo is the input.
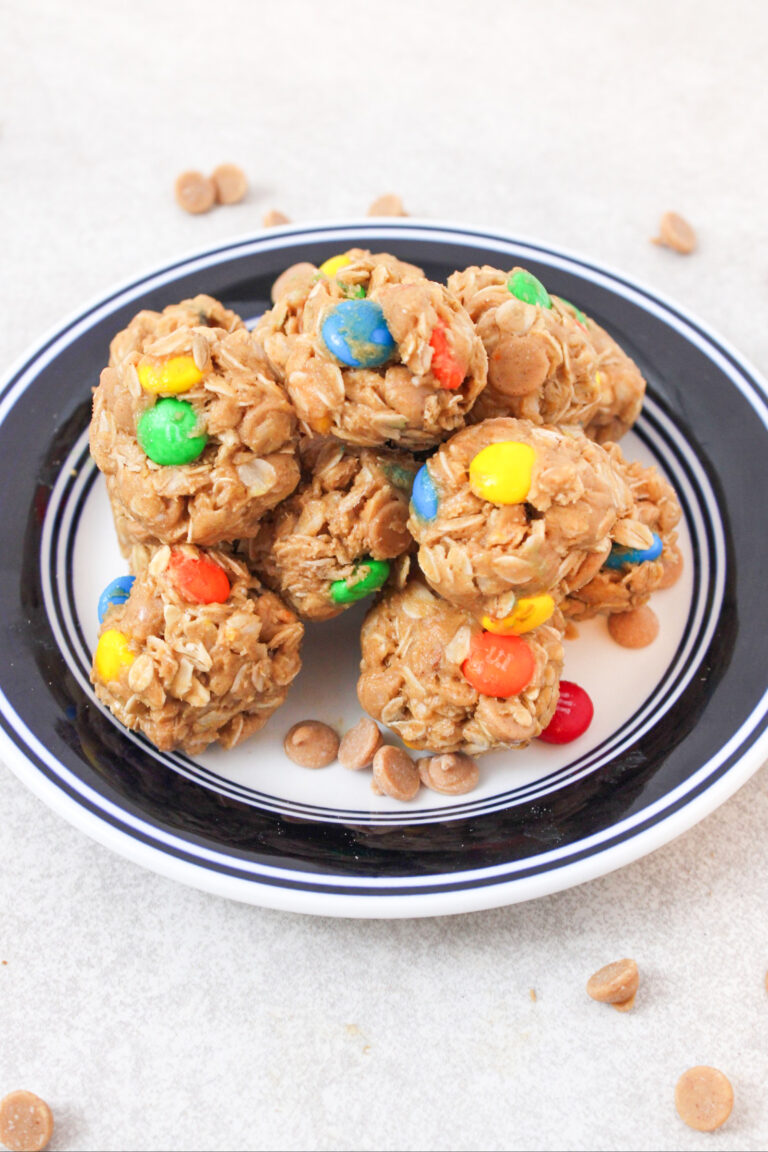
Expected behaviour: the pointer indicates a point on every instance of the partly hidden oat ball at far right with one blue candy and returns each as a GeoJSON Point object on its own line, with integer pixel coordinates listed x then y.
{"type": "Point", "coordinates": [644, 555]}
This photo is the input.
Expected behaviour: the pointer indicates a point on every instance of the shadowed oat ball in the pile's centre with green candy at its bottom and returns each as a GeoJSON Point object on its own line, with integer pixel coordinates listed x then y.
{"type": "Point", "coordinates": [331, 543]}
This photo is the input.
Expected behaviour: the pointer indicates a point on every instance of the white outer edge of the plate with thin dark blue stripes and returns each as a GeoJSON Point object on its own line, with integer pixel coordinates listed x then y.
{"type": "Point", "coordinates": [489, 888]}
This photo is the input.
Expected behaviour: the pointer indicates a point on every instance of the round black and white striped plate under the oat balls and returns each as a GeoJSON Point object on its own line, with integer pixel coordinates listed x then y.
{"type": "Point", "coordinates": [679, 726]}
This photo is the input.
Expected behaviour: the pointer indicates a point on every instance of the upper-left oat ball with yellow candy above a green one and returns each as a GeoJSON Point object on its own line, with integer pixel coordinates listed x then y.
{"type": "Point", "coordinates": [196, 438]}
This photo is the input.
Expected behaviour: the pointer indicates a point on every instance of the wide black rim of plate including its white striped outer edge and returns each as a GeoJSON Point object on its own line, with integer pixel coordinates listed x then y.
{"type": "Point", "coordinates": [703, 738]}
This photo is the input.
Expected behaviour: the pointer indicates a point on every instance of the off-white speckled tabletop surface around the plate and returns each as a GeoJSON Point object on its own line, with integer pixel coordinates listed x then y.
{"type": "Point", "coordinates": [151, 1017]}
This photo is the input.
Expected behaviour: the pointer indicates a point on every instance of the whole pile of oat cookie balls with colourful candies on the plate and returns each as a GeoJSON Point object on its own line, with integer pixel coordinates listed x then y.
{"type": "Point", "coordinates": [447, 450]}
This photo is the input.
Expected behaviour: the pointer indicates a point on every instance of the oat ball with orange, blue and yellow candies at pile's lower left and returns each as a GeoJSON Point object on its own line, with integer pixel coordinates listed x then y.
{"type": "Point", "coordinates": [194, 650]}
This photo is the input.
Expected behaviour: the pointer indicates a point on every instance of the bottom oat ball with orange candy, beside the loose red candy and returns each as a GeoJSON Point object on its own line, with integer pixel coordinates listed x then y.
{"type": "Point", "coordinates": [431, 673]}
